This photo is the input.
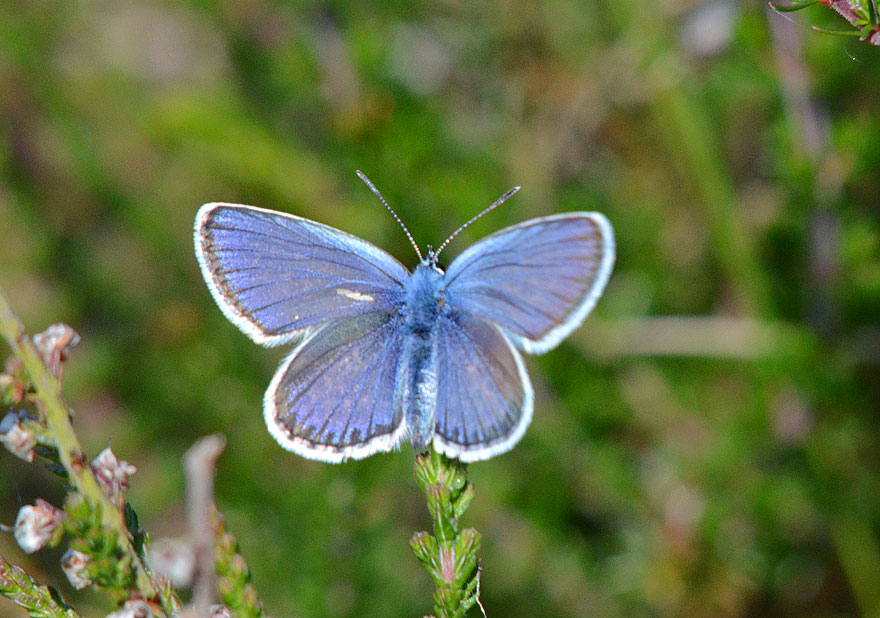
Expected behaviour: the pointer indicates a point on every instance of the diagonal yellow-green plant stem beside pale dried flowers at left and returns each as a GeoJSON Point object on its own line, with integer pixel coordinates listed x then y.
{"type": "Point", "coordinates": [48, 398]}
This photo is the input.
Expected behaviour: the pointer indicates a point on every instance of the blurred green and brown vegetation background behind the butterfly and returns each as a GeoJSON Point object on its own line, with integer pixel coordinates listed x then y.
{"type": "Point", "coordinates": [705, 445]}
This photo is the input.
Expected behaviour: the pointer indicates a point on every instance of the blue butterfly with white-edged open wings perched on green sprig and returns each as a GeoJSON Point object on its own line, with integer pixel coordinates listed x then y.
{"type": "Point", "coordinates": [383, 354]}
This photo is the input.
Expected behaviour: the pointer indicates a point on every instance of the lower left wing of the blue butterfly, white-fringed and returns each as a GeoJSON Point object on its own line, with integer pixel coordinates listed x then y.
{"type": "Point", "coordinates": [335, 396]}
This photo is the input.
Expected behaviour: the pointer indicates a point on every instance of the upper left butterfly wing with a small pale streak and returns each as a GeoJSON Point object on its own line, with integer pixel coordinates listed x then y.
{"type": "Point", "coordinates": [275, 275]}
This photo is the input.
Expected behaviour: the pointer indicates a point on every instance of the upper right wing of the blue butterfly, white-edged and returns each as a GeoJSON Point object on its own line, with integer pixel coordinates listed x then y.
{"type": "Point", "coordinates": [537, 280]}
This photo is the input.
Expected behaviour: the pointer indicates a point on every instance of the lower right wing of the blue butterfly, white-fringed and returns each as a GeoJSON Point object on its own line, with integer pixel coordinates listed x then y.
{"type": "Point", "coordinates": [484, 397]}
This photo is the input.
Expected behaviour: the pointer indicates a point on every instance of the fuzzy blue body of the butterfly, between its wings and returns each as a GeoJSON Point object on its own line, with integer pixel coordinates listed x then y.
{"type": "Point", "coordinates": [424, 305]}
